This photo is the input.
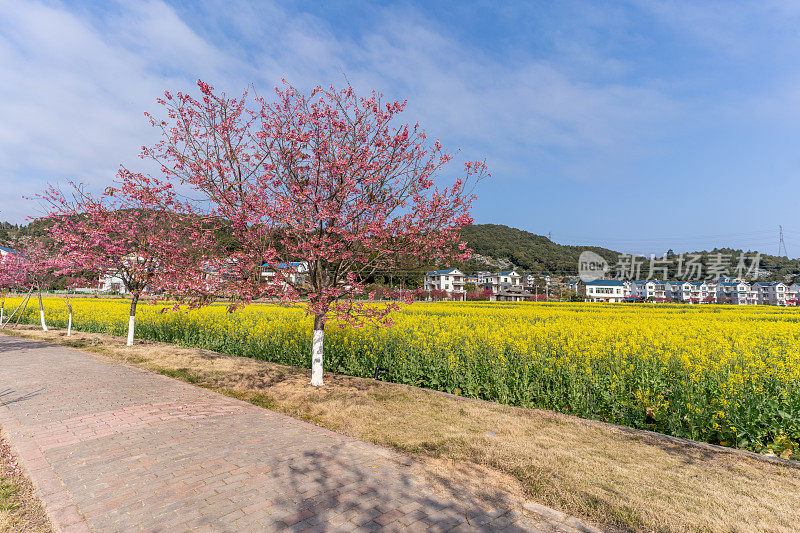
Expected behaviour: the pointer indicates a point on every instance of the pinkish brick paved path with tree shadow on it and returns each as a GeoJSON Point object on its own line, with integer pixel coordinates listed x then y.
{"type": "Point", "coordinates": [115, 448]}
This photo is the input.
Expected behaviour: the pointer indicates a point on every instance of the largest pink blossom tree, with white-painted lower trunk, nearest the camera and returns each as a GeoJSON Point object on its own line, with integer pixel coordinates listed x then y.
{"type": "Point", "coordinates": [319, 189]}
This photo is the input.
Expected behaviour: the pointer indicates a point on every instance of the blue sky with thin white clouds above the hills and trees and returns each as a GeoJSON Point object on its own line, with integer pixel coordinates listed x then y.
{"type": "Point", "coordinates": [640, 126]}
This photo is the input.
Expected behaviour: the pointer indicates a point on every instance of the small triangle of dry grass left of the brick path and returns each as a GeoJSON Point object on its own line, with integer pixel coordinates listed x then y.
{"type": "Point", "coordinates": [20, 510]}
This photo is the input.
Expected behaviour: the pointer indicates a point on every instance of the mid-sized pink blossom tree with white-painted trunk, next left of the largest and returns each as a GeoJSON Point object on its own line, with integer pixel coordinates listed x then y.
{"type": "Point", "coordinates": [137, 231]}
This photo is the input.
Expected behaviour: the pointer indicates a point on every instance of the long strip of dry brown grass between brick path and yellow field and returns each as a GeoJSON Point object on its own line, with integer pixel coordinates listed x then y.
{"type": "Point", "coordinates": [603, 473]}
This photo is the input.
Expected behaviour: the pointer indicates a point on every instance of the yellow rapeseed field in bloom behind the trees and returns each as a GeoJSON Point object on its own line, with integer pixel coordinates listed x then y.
{"type": "Point", "coordinates": [722, 374]}
